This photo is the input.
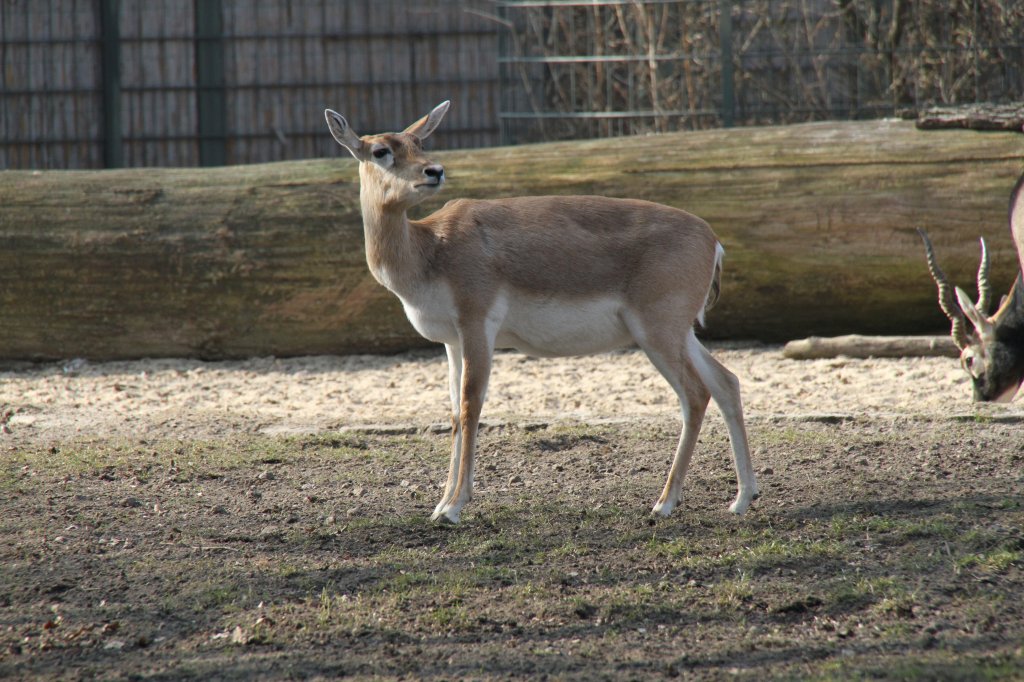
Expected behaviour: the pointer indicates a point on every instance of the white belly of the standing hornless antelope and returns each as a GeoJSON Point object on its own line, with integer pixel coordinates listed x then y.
{"type": "Point", "coordinates": [560, 327]}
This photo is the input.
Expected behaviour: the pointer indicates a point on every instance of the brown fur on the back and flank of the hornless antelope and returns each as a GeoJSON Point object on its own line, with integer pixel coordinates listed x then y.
{"type": "Point", "coordinates": [634, 248]}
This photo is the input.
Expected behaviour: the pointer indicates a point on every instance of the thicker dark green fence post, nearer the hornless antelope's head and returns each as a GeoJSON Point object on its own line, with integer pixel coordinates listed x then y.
{"type": "Point", "coordinates": [211, 98]}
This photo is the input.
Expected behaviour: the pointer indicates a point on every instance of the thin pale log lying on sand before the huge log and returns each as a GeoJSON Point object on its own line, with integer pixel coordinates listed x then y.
{"type": "Point", "coordinates": [856, 346]}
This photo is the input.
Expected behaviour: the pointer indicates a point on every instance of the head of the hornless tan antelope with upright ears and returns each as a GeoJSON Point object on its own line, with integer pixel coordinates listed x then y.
{"type": "Point", "coordinates": [394, 165]}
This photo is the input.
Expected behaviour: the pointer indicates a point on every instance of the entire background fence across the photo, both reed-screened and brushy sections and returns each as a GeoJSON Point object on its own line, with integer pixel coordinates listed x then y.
{"type": "Point", "coordinates": [103, 83]}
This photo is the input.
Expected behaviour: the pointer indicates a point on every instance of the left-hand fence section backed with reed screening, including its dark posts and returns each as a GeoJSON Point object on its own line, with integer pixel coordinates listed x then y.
{"type": "Point", "coordinates": [102, 83]}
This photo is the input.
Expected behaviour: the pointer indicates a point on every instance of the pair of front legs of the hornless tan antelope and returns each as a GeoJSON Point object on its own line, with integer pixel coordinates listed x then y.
{"type": "Point", "coordinates": [476, 373]}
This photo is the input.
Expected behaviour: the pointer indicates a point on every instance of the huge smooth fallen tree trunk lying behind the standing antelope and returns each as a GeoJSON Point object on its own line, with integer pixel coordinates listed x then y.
{"type": "Point", "coordinates": [818, 220]}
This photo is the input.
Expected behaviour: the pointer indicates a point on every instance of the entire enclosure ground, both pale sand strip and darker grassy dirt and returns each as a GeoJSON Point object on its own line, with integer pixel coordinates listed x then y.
{"type": "Point", "coordinates": [268, 520]}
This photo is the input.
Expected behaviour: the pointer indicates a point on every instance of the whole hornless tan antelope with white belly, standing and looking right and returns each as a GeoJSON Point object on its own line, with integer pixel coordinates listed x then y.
{"type": "Point", "coordinates": [547, 276]}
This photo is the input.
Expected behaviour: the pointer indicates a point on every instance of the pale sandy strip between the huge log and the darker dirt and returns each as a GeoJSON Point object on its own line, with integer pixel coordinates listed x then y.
{"type": "Point", "coordinates": [192, 399]}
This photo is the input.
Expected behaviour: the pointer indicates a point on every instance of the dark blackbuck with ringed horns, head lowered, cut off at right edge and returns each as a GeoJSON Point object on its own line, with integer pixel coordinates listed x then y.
{"type": "Point", "coordinates": [994, 354]}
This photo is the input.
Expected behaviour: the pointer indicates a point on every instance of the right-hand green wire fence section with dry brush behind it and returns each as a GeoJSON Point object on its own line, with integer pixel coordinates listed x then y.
{"type": "Point", "coordinates": [625, 67]}
